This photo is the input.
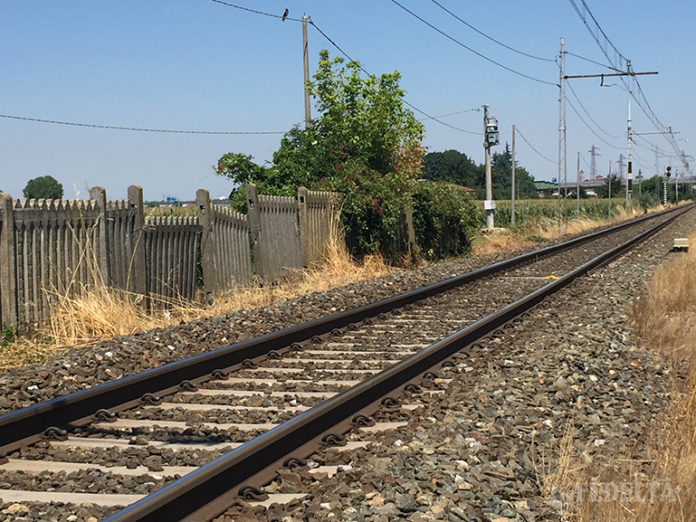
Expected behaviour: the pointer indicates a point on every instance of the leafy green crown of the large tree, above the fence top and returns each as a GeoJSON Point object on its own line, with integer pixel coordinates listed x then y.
{"type": "Point", "coordinates": [363, 129]}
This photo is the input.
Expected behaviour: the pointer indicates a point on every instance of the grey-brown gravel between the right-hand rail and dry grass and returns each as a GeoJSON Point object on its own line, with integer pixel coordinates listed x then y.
{"type": "Point", "coordinates": [480, 451]}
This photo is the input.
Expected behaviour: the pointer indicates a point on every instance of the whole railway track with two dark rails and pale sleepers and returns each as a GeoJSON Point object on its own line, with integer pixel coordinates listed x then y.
{"type": "Point", "coordinates": [246, 410]}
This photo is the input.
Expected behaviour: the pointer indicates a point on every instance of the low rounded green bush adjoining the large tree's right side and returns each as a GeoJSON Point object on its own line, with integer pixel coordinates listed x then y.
{"type": "Point", "coordinates": [444, 218]}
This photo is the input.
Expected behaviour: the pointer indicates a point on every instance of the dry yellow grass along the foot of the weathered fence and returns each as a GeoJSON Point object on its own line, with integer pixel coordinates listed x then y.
{"type": "Point", "coordinates": [79, 321]}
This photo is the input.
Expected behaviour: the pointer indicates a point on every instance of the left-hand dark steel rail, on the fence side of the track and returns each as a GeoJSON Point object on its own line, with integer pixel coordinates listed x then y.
{"type": "Point", "coordinates": [27, 425]}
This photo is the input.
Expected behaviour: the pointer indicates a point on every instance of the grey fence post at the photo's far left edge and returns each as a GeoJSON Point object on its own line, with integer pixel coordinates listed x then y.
{"type": "Point", "coordinates": [8, 281]}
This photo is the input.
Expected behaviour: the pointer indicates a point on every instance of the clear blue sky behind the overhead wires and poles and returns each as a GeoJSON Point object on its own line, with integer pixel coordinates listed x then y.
{"type": "Point", "coordinates": [199, 65]}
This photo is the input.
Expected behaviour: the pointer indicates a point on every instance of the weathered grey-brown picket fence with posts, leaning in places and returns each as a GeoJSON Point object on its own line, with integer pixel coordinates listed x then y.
{"type": "Point", "coordinates": [58, 249]}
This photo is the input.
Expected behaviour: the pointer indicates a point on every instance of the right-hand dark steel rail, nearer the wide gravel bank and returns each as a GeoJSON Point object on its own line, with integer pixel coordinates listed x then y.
{"type": "Point", "coordinates": [208, 491]}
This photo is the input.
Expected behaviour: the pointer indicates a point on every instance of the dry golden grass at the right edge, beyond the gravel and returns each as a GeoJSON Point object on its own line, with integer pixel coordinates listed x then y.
{"type": "Point", "coordinates": [665, 321]}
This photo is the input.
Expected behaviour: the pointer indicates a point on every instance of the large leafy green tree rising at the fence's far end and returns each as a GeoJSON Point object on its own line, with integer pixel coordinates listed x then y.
{"type": "Point", "coordinates": [365, 144]}
